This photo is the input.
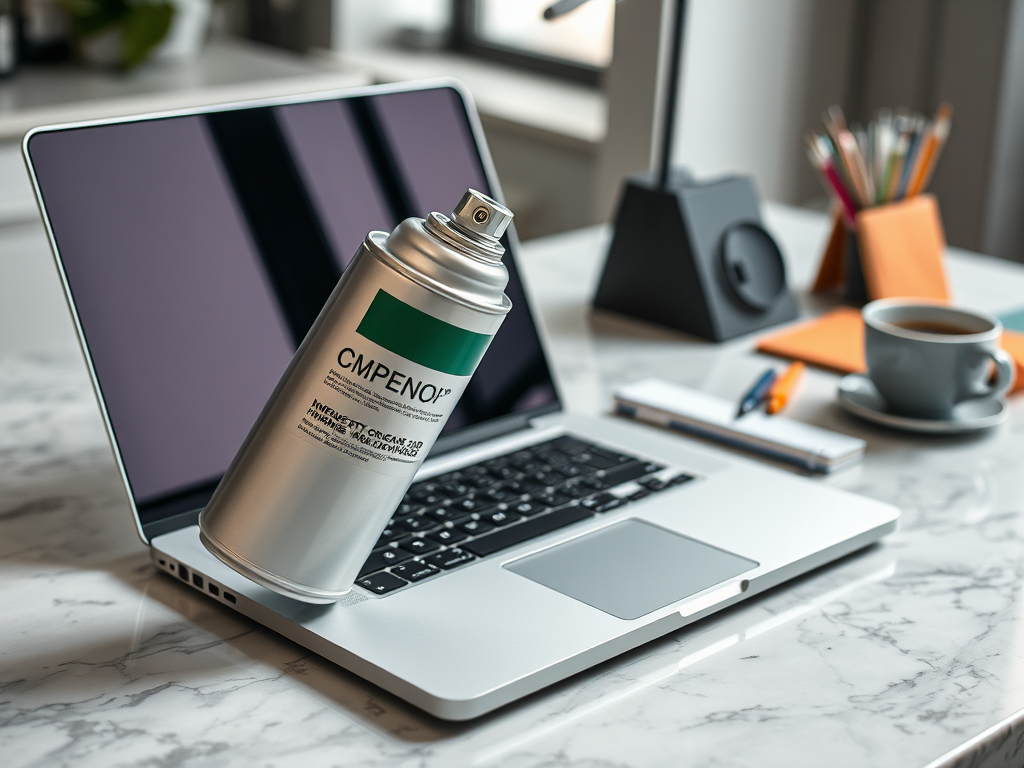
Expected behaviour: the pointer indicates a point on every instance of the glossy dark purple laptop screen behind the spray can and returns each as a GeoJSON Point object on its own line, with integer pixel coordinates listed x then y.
{"type": "Point", "coordinates": [200, 249]}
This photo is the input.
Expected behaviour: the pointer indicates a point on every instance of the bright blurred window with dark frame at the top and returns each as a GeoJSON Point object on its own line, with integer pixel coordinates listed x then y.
{"type": "Point", "coordinates": [577, 46]}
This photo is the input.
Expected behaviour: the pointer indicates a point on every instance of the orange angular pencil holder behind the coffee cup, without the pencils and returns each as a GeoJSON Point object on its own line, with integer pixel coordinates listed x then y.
{"type": "Point", "coordinates": [895, 250]}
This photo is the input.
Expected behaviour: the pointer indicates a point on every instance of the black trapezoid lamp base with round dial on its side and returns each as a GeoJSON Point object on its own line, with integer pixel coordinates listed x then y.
{"type": "Point", "coordinates": [694, 257]}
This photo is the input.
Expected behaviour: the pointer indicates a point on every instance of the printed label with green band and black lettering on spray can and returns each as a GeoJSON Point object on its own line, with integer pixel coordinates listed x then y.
{"type": "Point", "coordinates": [391, 388]}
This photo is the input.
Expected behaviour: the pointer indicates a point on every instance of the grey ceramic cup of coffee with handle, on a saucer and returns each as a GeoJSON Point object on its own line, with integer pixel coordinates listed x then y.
{"type": "Point", "coordinates": [925, 359]}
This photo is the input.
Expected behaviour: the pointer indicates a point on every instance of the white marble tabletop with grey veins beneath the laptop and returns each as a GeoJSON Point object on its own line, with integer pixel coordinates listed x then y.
{"type": "Point", "coordinates": [895, 657]}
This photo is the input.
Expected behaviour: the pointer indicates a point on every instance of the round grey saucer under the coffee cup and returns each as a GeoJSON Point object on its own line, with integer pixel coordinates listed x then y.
{"type": "Point", "coordinates": [859, 396]}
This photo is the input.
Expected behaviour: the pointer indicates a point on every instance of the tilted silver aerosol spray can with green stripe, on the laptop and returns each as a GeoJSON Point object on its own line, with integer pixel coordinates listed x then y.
{"type": "Point", "coordinates": [363, 401]}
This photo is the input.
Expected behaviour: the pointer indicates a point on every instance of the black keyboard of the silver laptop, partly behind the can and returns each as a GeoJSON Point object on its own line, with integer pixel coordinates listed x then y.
{"type": "Point", "coordinates": [456, 519]}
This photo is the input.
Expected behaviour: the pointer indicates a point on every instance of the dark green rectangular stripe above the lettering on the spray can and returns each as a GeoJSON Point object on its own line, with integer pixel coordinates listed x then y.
{"type": "Point", "coordinates": [420, 337]}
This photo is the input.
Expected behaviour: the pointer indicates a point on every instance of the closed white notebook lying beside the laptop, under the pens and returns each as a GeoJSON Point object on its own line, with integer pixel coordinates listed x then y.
{"type": "Point", "coordinates": [688, 410]}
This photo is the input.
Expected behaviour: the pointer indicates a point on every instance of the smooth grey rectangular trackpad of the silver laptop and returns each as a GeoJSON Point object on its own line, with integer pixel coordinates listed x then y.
{"type": "Point", "coordinates": [631, 569]}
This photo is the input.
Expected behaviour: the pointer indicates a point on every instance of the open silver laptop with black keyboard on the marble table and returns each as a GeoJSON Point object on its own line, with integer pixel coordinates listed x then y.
{"type": "Point", "coordinates": [197, 248]}
